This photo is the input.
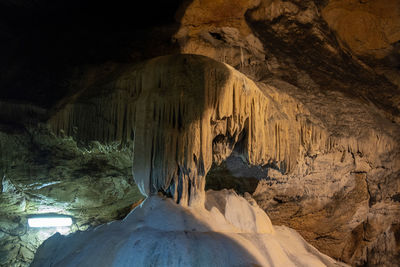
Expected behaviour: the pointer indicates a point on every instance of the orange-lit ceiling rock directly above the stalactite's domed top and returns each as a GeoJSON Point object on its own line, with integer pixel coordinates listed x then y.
{"type": "Point", "coordinates": [218, 29]}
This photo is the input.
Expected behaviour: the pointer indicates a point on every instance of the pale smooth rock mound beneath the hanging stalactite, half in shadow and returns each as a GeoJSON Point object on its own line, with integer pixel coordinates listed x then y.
{"type": "Point", "coordinates": [160, 232]}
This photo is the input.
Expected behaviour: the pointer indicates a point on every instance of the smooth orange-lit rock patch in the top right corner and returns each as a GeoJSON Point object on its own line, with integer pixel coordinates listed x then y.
{"type": "Point", "coordinates": [369, 28]}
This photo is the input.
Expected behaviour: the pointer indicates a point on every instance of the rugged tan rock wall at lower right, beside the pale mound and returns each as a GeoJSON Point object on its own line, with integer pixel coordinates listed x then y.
{"type": "Point", "coordinates": [335, 203]}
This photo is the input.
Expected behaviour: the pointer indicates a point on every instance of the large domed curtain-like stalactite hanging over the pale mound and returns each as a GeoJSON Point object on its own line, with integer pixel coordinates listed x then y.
{"type": "Point", "coordinates": [185, 111]}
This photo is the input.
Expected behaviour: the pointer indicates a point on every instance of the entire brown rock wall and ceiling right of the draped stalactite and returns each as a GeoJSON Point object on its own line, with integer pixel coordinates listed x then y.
{"type": "Point", "coordinates": [336, 197]}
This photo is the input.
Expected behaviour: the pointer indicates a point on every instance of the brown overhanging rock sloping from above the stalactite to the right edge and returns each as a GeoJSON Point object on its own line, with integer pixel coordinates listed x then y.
{"type": "Point", "coordinates": [290, 41]}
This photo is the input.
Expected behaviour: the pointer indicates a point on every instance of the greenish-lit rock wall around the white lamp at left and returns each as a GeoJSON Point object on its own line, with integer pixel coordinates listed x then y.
{"type": "Point", "coordinates": [42, 173]}
